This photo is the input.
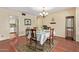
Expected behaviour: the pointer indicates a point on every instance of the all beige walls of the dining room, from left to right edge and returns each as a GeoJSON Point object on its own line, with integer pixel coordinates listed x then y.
{"type": "Point", "coordinates": [59, 17]}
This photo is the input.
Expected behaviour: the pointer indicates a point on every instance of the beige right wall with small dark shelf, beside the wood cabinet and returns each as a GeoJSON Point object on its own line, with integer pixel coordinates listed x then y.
{"type": "Point", "coordinates": [59, 17]}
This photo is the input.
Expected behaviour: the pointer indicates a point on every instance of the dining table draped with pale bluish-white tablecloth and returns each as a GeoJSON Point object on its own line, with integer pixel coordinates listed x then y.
{"type": "Point", "coordinates": [42, 36]}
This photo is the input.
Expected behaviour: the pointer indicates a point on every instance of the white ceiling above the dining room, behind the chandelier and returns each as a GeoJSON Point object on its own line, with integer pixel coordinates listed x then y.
{"type": "Point", "coordinates": [36, 10]}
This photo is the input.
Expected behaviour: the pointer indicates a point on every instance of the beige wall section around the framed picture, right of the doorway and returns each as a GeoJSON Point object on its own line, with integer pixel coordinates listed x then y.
{"type": "Point", "coordinates": [21, 23]}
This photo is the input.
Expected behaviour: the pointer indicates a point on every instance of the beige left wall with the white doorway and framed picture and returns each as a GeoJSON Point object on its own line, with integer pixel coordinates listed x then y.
{"type": "Point", "coordinates": [4, 22]}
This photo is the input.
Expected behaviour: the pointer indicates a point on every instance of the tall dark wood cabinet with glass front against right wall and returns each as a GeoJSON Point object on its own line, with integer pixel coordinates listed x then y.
{"type": "Point", "coordinates": [69, 28]}
